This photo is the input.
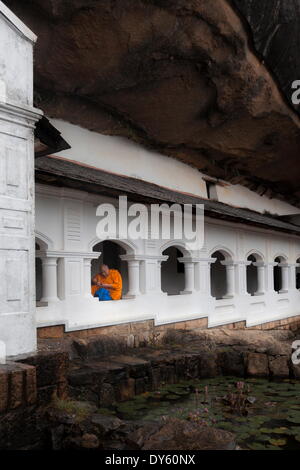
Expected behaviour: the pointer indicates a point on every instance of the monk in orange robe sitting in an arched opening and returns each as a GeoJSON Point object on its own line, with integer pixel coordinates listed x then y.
{"type": "Point", "coordinates": [107, 285]}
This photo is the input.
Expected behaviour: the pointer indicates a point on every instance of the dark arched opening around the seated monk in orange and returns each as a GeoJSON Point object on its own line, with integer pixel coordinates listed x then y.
{"type": "Point", "coordinates": [110, 255]}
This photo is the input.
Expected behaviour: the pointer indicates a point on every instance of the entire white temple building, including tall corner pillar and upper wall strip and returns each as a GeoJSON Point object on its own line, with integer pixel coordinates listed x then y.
{"type": "Point", "coordinates": [243, 272]}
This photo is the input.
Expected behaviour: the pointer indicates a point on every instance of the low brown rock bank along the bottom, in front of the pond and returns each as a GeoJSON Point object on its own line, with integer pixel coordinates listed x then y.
{"type": "Point", "coordinates": [101, 432]}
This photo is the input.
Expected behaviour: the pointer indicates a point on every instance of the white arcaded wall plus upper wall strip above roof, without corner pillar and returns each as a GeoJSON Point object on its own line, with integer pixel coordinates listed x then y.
{"type": "Point", "coordinates": [242, 273]}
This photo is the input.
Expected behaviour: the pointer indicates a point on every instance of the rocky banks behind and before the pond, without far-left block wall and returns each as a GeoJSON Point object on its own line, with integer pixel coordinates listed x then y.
{"type": "Point", "coordinates": [97, 378]}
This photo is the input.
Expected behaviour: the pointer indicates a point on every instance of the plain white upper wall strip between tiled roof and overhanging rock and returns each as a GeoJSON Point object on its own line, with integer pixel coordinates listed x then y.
{"type": "Point", "coordinates": [121, 156]}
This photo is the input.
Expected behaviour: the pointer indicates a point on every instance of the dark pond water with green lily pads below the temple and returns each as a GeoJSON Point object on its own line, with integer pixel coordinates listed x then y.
{"type": "Point", "coordinates": [269, 419]}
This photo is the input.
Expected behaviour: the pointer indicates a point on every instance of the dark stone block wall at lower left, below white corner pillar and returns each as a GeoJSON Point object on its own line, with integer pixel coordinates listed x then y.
{"type": "Point", "coordinates": [26, 388]}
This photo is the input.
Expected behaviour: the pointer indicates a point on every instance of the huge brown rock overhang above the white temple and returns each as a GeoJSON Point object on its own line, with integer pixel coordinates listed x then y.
{"type": "Point", "coordinates": [178, 76]}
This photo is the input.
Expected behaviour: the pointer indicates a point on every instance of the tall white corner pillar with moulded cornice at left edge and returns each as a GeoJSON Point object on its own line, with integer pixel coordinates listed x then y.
{"type": "Point", "coordinates": [17, 122]}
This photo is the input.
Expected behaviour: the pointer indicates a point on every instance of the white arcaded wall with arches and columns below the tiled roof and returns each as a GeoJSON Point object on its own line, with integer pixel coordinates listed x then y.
{"type": "Point", "coordinates": [68, 236]}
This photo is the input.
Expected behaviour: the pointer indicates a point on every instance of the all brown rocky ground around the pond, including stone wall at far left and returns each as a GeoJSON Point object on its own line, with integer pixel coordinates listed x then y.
{"type": "Point", "coordinates": [78, 383]}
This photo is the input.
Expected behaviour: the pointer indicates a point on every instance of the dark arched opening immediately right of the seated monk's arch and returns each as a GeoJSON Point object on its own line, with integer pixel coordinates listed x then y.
{"type": "Point", "coordinates": [172, 272]}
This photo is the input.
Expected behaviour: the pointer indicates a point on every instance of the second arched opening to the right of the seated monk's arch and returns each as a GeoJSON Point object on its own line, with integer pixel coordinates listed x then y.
{"type": "Point", "coordinates": [221, 285]}
